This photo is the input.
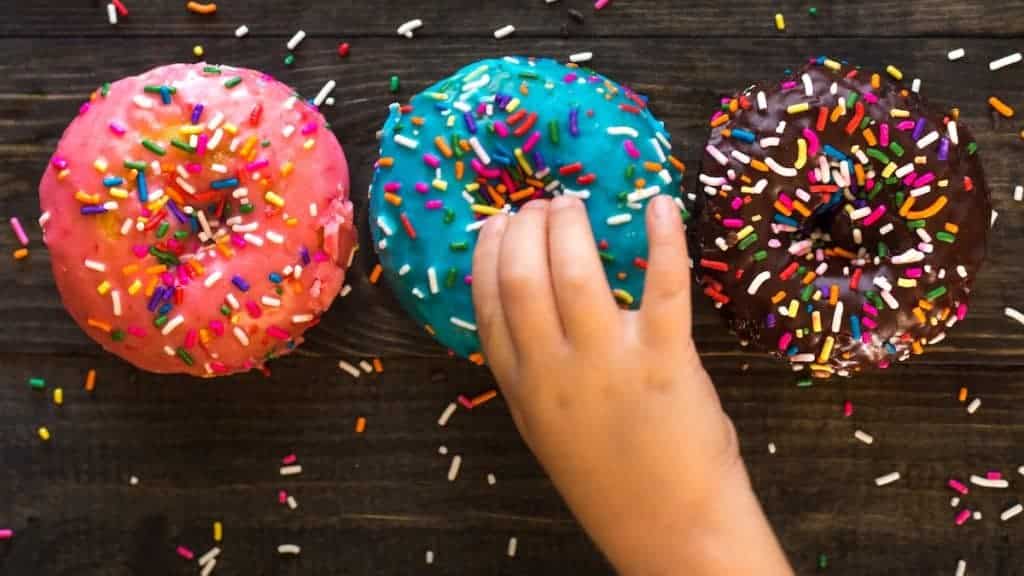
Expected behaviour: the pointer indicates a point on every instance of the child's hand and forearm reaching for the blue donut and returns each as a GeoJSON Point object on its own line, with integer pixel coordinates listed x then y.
{"type": "Point", "coordinates": [616, 404]}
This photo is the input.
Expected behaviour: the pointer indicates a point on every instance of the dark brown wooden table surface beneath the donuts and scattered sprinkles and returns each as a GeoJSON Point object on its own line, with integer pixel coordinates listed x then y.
{"type": "Point", "coordinates": [374, 504]}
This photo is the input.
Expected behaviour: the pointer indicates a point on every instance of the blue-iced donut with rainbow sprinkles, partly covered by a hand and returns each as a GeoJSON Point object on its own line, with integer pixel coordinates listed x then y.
{"type": "Point", "coordinates": [591, 117]}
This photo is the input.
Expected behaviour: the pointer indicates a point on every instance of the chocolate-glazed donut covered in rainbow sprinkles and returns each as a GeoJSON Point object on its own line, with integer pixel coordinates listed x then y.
{"type": "Point", "coordinates": [841, 223]}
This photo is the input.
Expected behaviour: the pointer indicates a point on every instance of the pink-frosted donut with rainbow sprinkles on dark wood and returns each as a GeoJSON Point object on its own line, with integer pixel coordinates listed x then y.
{"type": "Point", "coordinates": [198, 219]}
